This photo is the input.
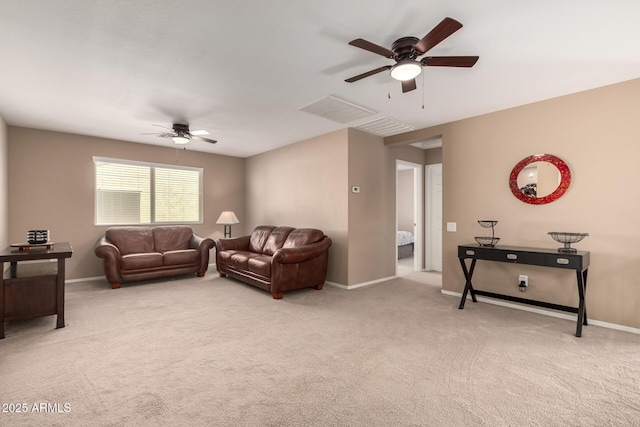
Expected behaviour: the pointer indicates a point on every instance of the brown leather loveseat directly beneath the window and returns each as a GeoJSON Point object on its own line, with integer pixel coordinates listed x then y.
{"type": "Point", "coordinates": [141, 253]}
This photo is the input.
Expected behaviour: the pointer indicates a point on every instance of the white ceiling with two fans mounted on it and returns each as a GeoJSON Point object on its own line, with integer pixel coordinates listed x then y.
{"type": "Point", "coordinates": [241, 69]}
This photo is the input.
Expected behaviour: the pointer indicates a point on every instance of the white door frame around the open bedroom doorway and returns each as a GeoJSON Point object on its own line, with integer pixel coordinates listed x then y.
{"type": "Point", "coordinates": [418, 212]}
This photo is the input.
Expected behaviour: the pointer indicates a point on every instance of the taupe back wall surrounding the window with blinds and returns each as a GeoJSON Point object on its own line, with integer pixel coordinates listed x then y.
{"type": "Point", "coordinates": [51, 186]}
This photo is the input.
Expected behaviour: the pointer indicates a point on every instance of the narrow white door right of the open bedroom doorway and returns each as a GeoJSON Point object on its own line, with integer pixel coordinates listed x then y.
{"type": "Point", "coordinates": [433, 177]}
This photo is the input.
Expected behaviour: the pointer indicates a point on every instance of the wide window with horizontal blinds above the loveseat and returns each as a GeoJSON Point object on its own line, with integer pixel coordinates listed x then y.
{"type": "Point", "coordinates": [128, 192]}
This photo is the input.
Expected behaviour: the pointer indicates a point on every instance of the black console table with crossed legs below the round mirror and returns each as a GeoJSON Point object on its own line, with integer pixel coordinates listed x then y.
{"type": "Point", "coordinates": [577, 261]}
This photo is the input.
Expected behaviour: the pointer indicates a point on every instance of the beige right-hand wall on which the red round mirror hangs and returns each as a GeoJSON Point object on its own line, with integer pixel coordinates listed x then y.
{"type": "Point", "coordinates": [596, 133]}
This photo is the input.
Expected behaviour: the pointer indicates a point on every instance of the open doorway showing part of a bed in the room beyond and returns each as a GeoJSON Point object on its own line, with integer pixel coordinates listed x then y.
{"type": "Point", "coordinates": [409, 214]}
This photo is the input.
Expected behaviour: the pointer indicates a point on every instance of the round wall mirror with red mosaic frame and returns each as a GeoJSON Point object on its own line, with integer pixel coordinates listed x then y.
{"type": "Point", "coordinates": [540, 179]}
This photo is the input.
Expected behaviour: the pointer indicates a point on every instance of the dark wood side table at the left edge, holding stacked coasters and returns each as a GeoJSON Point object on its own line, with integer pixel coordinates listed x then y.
{"type": "Point", "coordinates": [33, 289]}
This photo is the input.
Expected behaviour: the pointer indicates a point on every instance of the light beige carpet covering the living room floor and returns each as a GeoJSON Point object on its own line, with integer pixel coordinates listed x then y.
{"type": "Point", "coordinates": [214, 352]}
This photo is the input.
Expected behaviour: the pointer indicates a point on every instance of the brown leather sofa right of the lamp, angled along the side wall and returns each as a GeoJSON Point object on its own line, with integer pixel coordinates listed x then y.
{"type": "Point", "coordinates": [276, 259]}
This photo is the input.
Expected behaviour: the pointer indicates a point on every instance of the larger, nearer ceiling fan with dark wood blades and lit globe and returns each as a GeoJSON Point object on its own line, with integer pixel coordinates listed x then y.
{"type": "Point", "coordinates": [406, 50]}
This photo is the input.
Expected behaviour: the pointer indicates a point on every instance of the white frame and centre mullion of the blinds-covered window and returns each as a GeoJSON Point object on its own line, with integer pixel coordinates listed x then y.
{"type": "Point", "coordinates": [152, 166]}
